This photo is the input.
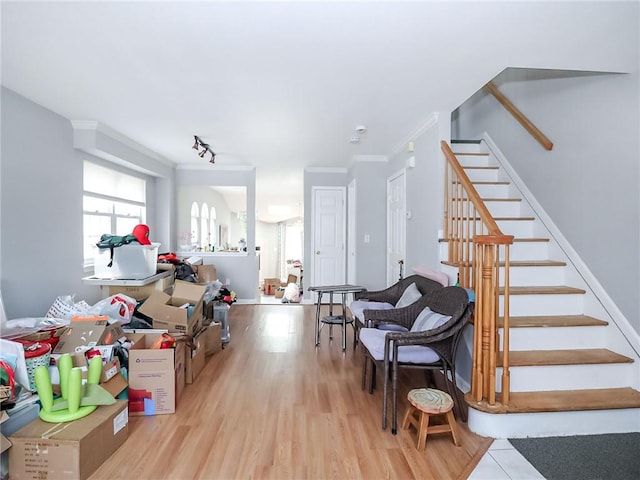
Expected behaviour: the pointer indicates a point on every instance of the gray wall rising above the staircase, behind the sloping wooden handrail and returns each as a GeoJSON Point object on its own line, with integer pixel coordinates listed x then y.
{"type": "Point", "coordinates": [589, 182]}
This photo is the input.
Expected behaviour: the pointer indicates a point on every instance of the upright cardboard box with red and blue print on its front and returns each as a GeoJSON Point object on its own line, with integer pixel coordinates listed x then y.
{"type": "Point", "coordinates": [152, 376]}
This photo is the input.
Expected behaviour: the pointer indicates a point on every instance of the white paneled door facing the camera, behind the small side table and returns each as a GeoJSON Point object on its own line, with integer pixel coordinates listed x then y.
{"type": "Point", "coordinates": [328, 246]}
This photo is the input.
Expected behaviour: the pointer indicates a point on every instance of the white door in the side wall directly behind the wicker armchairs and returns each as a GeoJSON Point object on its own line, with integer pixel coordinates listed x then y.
{"type": "Point", "coordinates": [396, 225]}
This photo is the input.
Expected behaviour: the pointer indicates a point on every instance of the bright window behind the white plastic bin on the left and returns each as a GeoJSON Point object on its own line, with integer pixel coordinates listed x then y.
{"type": "Point", "coordinates": [113, 202]}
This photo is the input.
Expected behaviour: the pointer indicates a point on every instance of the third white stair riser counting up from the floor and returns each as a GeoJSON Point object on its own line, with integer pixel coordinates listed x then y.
{"type": "Point", "coordinates": [559, 338]}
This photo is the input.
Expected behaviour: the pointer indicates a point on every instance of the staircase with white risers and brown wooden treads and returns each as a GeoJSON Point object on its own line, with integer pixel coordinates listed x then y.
{"type": "Point", "coordinates": [575, 367]}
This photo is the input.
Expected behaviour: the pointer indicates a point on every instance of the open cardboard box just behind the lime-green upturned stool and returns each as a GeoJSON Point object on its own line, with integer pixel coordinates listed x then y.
{"type": "Point", "coordinates": [88, 331]}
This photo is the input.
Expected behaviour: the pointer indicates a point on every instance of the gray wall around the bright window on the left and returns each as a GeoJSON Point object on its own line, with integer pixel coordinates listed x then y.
{"type": "Point", "coordinates": [41, 208]}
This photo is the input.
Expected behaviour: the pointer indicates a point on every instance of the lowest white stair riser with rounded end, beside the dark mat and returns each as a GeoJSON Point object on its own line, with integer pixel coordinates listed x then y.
{"type": "Point", "coordinates": [553, 424]}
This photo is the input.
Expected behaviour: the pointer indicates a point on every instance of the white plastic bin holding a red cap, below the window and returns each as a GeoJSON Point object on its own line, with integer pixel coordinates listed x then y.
{"type": "Point", "coordinates": [130, 262]}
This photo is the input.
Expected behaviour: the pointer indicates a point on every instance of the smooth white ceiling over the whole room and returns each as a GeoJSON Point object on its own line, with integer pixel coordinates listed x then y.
{"type": "Point", "coordinates": [281, 85]}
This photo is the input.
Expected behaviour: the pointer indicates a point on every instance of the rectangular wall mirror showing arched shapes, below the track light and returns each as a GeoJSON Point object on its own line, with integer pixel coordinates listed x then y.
{"type": "Point", "coordinates": [212, 218]}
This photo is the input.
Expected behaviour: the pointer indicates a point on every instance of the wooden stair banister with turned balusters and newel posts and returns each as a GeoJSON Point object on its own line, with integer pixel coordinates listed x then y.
{"type": "Point", "coordinates": [478, 247]}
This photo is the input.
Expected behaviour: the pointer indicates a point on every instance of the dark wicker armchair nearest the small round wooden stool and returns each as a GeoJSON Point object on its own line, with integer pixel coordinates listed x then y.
{"type": "Point", "coordinates": [430, 344]}
